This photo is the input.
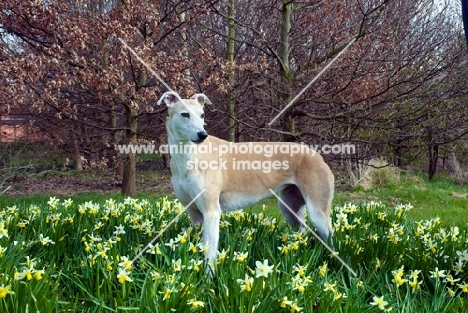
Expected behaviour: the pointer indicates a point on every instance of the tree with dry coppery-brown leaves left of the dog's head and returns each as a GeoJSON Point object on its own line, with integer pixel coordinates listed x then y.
{"type": "Point", "coordinates": [70, 66]}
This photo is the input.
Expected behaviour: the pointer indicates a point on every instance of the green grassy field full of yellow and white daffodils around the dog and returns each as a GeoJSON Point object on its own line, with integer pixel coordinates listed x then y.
{"type": "Point", "coordinates": [75, 255]}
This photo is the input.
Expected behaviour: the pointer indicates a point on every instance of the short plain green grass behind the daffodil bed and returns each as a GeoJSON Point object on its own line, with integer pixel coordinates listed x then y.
{"type": "Point", "coordinates": [430, 198]}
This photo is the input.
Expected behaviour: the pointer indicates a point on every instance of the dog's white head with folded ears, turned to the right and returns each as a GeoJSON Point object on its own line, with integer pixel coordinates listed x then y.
{"type": "Point", "coordinates": [186, 116]}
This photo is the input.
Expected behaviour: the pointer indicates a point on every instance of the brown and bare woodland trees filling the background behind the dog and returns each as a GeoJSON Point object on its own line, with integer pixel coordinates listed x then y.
{"type": "Point", "coordinates": [399, 93]}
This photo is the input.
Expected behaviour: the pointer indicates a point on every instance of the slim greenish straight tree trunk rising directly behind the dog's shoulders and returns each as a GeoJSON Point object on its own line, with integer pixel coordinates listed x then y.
{"type": "Point", "coordinates": [231, 122]}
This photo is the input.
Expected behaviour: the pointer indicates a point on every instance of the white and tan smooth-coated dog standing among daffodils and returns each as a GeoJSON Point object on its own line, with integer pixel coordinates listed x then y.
{"type": "Point", "coordinates": [234, 179]}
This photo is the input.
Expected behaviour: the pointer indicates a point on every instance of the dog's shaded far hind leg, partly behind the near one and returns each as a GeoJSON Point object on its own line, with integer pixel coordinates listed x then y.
{"type": "Point", "coordinates": [293, 204]}
